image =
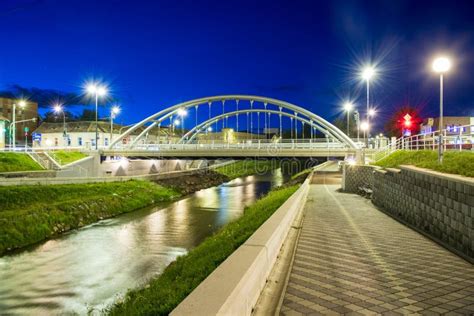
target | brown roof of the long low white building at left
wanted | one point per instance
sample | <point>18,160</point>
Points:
<point>88,127</point>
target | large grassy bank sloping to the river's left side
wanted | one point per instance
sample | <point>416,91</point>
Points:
<point>29,214</point>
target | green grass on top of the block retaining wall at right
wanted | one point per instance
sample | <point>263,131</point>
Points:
<point>454,162</point>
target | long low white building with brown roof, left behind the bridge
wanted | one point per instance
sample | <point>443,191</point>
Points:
<point>82,134</point>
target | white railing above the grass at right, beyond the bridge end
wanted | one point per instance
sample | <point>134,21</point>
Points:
<point>458,138</point>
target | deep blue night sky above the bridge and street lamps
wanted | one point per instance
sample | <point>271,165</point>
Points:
<point>156,53</point>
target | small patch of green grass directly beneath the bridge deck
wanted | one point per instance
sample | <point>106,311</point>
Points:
<point>246,167</point>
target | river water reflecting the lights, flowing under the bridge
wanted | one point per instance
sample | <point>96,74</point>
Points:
<point>87,269</point>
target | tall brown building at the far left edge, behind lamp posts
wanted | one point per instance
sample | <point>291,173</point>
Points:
<point>26,113</point>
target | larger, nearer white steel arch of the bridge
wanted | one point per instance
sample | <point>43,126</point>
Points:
<point>162,115</point>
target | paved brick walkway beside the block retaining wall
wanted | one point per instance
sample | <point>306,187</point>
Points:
<point>352,259</point>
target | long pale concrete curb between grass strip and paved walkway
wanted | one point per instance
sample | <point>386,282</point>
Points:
<point>235,286</point>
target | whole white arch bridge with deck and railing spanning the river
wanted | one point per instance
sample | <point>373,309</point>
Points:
<point>233,126</point>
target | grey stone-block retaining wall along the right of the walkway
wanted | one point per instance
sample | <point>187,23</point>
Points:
<point>438,205</point>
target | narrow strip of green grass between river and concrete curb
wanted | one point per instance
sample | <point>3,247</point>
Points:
<point>181,277</point>
